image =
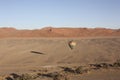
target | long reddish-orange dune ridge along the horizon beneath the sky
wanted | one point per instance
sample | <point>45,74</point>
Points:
<point>59,32</point>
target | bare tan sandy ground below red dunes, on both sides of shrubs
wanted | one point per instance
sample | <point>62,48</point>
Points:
<point>21,55</point>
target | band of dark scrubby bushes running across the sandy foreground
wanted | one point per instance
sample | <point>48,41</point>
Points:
<point>64,73</point>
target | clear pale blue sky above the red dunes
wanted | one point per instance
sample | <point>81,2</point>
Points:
<point>32,14</point>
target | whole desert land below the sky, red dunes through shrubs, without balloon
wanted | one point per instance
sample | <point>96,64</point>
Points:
<point>46,55</point>
